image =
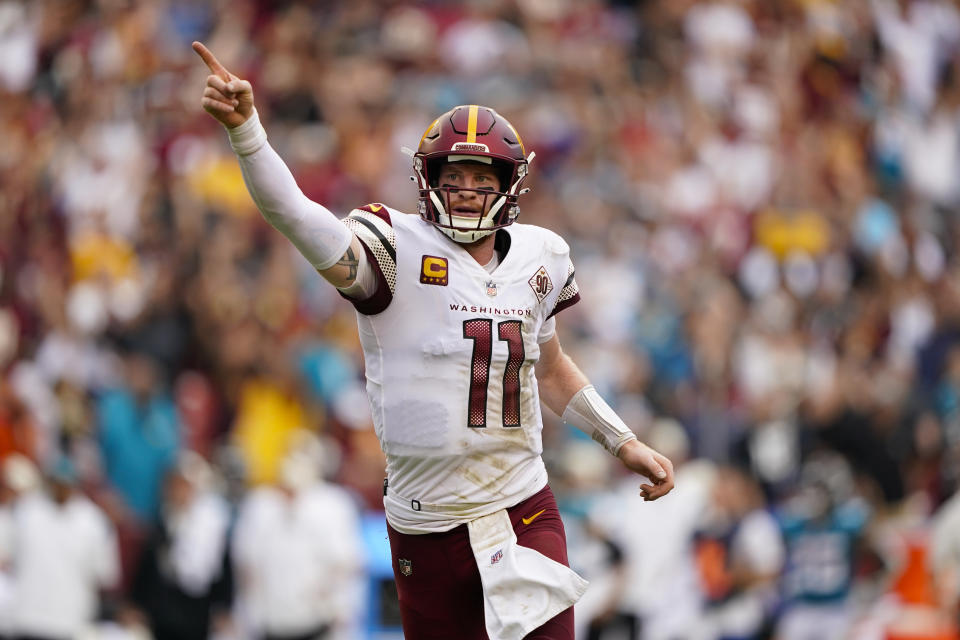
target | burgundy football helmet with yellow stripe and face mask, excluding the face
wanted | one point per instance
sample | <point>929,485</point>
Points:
<point>470,133</point>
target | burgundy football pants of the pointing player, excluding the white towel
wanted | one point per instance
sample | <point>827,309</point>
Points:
<point>442,598</point>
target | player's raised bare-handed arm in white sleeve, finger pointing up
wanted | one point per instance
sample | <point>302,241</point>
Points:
<point>329,246</point>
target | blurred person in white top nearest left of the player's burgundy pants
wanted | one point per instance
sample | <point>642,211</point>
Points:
<point>297,554</point>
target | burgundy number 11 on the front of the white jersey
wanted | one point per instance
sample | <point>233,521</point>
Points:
<point>480,330</point>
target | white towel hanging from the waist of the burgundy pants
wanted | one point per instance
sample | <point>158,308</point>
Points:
<point>522,588</point>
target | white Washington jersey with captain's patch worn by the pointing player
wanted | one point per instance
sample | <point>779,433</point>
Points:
<point>450,352</point>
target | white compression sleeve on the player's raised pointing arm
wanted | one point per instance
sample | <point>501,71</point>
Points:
<point>311,227</point>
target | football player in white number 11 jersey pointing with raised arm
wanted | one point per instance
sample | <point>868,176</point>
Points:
<point>455,308</point>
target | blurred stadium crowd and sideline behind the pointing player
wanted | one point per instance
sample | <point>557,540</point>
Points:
<point>763,203</point>
